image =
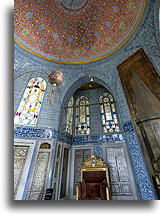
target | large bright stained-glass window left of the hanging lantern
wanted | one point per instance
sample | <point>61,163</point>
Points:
<point>30,104</point>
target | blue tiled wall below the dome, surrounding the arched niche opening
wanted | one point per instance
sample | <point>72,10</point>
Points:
<point>51,121</point>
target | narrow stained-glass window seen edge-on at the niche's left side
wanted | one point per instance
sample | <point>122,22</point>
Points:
<point>69,116</point>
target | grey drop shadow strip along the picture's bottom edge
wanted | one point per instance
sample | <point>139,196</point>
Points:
<point>84,205</point>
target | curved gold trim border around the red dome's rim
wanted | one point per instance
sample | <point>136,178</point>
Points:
<point>92,60</point>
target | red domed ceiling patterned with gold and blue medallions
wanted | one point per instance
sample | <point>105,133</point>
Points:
<point>75,31</point>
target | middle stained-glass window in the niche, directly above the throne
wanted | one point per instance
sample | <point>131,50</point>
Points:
<point>82,116</point>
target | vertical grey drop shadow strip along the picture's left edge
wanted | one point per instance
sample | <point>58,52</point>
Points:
<point>10,104</point>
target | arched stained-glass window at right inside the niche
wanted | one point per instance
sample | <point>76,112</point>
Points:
<point>108,113</point>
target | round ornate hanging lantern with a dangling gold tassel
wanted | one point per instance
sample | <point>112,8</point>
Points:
<point>55,78</point>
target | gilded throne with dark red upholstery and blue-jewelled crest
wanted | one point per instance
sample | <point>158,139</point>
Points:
<point>94,183</point>
